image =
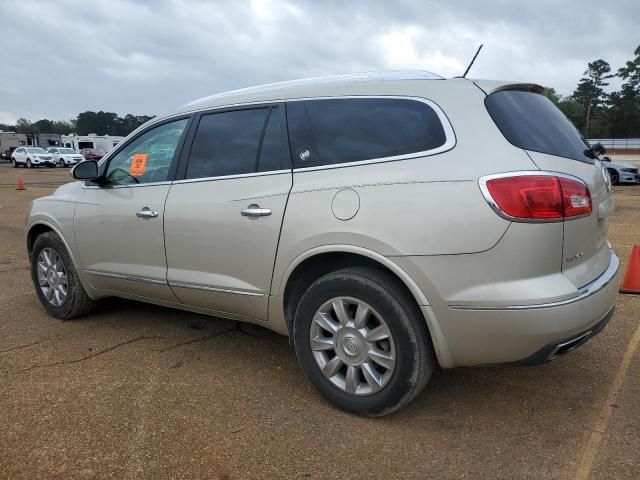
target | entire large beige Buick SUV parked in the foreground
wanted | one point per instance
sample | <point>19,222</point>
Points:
<point>337,224</point>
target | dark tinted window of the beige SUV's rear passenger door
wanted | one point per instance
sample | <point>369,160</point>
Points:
<point>237,142</point>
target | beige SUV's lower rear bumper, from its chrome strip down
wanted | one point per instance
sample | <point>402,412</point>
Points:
<point>529,334</point>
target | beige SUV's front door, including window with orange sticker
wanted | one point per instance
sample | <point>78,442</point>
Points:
<point>119,224</point>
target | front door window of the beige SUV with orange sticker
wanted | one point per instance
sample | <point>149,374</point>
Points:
<point>148,157</point>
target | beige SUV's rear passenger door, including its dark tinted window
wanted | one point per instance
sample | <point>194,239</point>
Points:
<point>223,216</point>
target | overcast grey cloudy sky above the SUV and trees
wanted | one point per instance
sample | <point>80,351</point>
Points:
<point>61,57</point>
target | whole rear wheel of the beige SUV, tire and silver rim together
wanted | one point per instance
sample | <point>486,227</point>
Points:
<point>362,341</point>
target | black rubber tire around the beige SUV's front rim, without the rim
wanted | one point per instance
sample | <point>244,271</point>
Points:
<point>77,303</point>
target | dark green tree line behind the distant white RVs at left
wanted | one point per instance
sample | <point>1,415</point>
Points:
<point>100,123</point>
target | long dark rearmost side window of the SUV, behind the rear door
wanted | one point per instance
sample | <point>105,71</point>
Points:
<point>334,131</point>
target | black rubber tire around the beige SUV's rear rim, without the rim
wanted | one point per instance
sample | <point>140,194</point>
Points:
<point>415,360</point>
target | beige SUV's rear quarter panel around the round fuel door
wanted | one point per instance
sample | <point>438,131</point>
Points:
<point>422,206</point>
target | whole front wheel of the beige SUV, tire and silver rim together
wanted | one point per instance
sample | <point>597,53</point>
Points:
<point>56,280</point>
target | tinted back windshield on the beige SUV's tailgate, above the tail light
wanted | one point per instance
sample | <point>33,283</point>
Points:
<point>531,121</point>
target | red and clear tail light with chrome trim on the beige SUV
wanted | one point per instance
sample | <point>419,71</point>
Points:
<point>536,197</point>
